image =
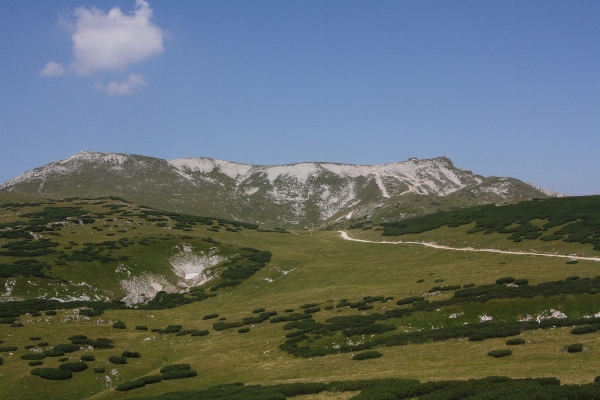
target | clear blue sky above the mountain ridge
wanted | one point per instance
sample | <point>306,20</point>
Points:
<point>504,88</point>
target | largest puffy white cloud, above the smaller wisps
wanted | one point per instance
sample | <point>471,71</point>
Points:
<point>112,41</point>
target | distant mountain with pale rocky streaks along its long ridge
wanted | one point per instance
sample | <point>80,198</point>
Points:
<point>293,195</point>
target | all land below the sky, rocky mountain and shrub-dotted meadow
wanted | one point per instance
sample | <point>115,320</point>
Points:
<point>410,285</point>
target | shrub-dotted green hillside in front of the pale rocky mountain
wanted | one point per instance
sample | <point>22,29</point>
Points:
<point>287,308</point>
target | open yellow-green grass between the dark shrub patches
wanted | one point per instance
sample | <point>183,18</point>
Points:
<point>306,267</point>
